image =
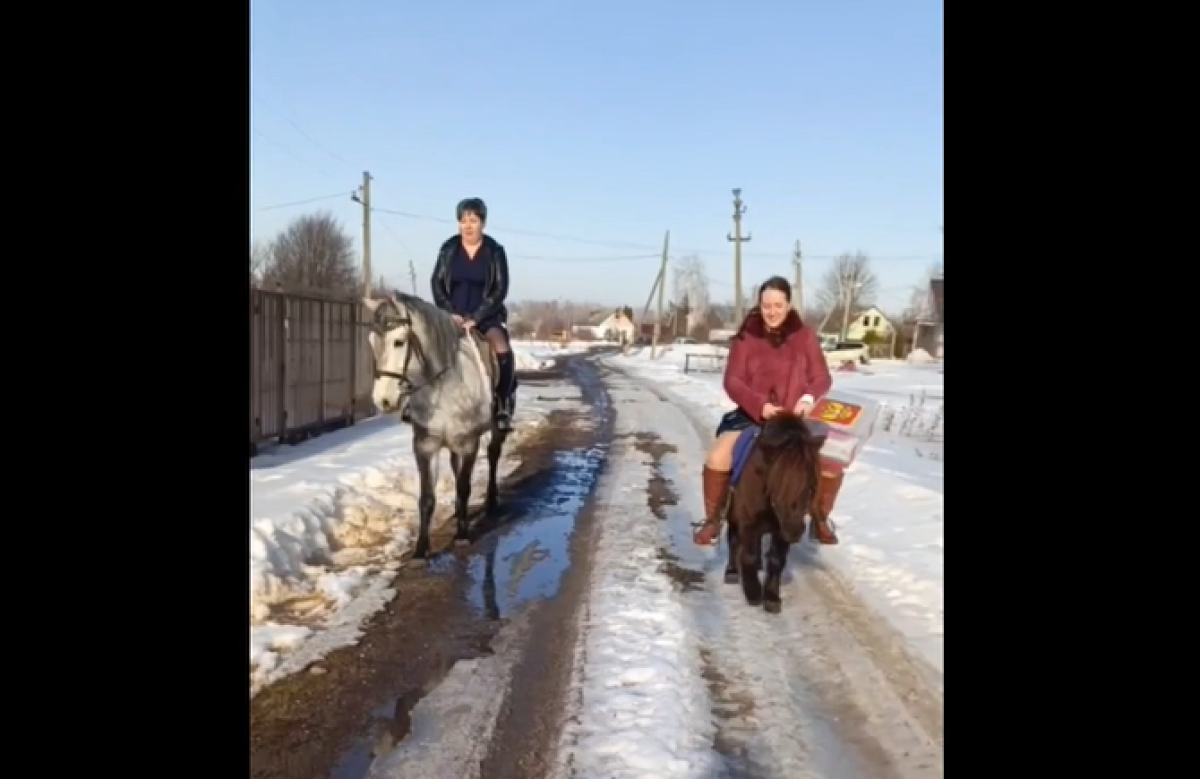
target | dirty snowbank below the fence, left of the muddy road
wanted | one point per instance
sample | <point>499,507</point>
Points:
<point>329,518</point>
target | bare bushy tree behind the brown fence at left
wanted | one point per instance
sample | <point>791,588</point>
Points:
<point>314,255</point>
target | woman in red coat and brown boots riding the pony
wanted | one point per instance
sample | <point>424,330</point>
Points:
<point>776,364</point>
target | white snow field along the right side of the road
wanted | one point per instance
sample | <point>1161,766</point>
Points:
<point>890,514</point>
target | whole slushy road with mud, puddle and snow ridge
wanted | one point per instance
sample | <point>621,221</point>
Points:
<point>587,638</point>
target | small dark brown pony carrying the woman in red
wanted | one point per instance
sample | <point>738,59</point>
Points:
<point>777,489</point>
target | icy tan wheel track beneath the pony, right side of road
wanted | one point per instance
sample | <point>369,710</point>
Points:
<point>855,702</point>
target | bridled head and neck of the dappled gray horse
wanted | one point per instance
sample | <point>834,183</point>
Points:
<point>413,344</point>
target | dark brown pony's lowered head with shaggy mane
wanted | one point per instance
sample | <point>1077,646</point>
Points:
<point>794,471</point>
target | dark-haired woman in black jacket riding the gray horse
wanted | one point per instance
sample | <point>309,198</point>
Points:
<point>471,280</point>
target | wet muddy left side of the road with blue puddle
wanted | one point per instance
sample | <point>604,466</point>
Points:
<point>514,592</point>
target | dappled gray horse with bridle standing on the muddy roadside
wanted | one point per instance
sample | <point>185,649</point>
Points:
<point>447,380</point>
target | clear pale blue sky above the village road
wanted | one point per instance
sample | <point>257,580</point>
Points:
<point>593,128</point>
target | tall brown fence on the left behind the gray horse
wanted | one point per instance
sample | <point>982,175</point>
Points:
<point>311,368</point>
